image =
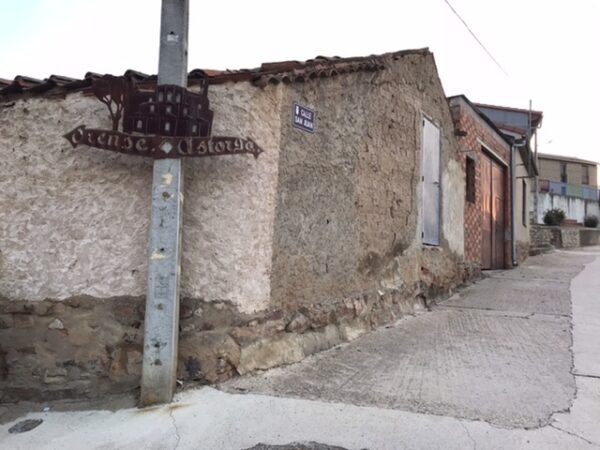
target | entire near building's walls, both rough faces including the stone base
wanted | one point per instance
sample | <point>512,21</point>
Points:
<point>314,243</point>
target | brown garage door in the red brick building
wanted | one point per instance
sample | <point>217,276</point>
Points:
<point>492,226</point>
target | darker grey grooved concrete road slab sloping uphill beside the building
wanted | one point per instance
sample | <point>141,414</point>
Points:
<point>499,351</point>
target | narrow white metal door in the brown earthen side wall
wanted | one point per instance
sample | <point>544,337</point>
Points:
<point>431,183</point>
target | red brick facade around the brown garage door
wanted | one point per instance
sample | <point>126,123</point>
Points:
<point>476,138</point>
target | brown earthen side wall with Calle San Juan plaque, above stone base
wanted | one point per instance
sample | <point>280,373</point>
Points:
<point>347,217</point>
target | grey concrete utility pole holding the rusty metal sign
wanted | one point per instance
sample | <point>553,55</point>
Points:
<point>161,325</point>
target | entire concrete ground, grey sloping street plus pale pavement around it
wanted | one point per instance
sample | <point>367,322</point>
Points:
<point>500,365</point>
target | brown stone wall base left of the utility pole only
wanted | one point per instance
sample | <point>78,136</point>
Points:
<point>73,348</point>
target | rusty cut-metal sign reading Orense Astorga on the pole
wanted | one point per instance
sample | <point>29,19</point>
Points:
<point>168,122</point>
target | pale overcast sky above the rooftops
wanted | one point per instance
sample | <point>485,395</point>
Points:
<point>549,49</point>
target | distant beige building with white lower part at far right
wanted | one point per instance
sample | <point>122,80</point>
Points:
<point>570,184</point>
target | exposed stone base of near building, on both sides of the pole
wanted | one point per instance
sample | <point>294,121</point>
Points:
<point>89,347</point>
